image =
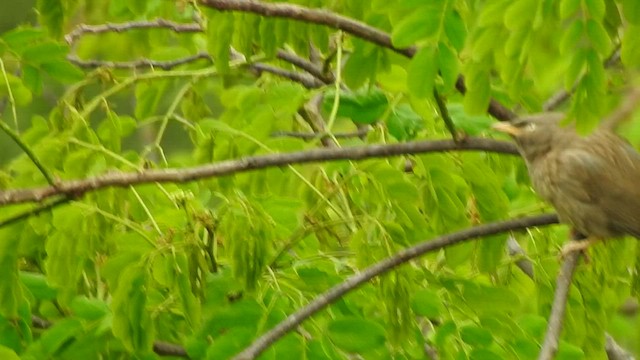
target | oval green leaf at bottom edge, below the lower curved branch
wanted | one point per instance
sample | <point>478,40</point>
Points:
<point>356,334</point>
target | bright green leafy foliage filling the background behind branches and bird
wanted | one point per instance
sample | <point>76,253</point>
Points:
<point>214,263</point>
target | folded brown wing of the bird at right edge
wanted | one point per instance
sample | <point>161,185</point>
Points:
<point>606,181</point>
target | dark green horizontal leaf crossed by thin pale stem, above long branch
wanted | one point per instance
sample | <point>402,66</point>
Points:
<point>362,106</point>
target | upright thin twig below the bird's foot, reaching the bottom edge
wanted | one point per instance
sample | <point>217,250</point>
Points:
<point>554,326</point>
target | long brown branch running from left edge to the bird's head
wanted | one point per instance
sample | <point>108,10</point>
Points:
<point>122,179</point>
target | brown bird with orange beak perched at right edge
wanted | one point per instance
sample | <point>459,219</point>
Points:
<point>592,181</point>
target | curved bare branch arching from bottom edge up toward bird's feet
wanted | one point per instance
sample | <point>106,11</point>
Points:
<point>355,281</point>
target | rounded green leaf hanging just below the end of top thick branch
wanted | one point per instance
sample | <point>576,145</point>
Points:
<point>422,72</point>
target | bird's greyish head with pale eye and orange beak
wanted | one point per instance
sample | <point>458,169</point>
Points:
<point>537,134</point>
